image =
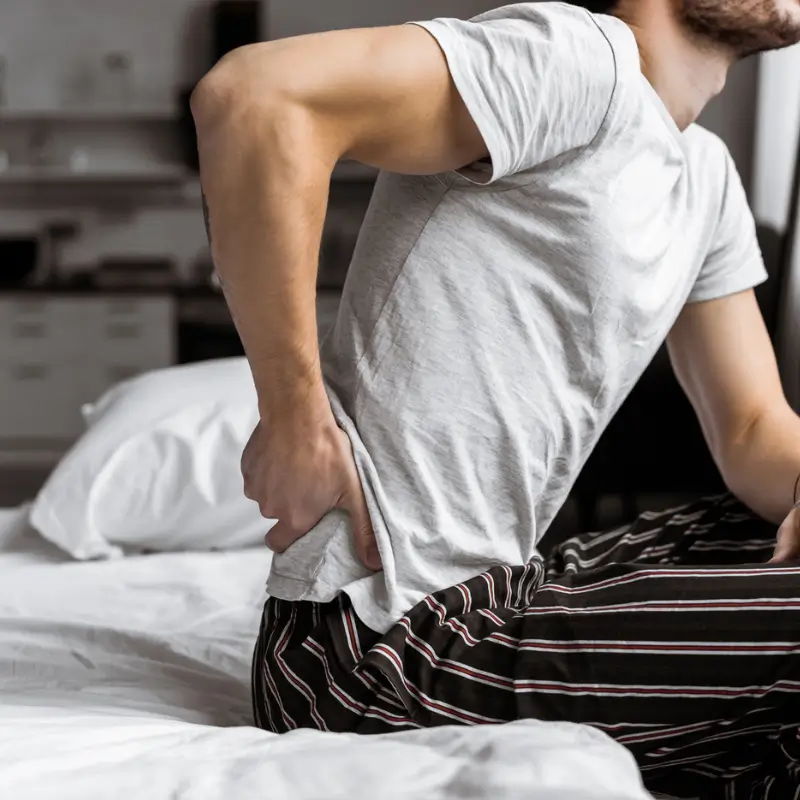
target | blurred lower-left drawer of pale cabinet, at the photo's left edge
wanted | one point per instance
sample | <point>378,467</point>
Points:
<point>39,400</point>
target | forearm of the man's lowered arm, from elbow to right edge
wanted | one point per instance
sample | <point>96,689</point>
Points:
<point>761,467</point>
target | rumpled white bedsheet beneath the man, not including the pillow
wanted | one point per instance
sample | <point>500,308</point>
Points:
<point>130,678</point>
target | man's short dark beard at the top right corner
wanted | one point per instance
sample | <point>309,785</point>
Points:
<point>743,27</point>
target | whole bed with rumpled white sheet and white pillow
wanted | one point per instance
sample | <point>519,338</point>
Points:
<point>131,590</point>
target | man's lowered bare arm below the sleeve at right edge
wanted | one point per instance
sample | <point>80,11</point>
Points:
<point>725,362</point>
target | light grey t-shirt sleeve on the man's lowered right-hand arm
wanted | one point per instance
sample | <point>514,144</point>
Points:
<point>734,262</point>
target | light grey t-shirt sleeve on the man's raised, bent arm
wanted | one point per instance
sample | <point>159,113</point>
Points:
<point>537,80</point>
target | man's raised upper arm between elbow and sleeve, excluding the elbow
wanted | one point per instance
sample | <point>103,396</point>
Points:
<point>382,96</point>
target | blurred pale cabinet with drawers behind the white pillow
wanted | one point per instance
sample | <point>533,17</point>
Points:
<point>59,352</point>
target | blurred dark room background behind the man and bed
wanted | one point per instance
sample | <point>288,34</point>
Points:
<point>104,267</point>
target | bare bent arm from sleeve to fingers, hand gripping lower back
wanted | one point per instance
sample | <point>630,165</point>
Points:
<point>272,121</point>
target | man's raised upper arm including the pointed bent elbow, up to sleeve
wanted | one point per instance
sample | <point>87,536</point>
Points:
<point>383,96</point>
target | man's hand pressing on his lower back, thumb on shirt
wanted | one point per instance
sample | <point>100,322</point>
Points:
<point>297,473</point>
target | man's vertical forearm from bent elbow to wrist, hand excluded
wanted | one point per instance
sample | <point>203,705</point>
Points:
<point>265,194</point>
